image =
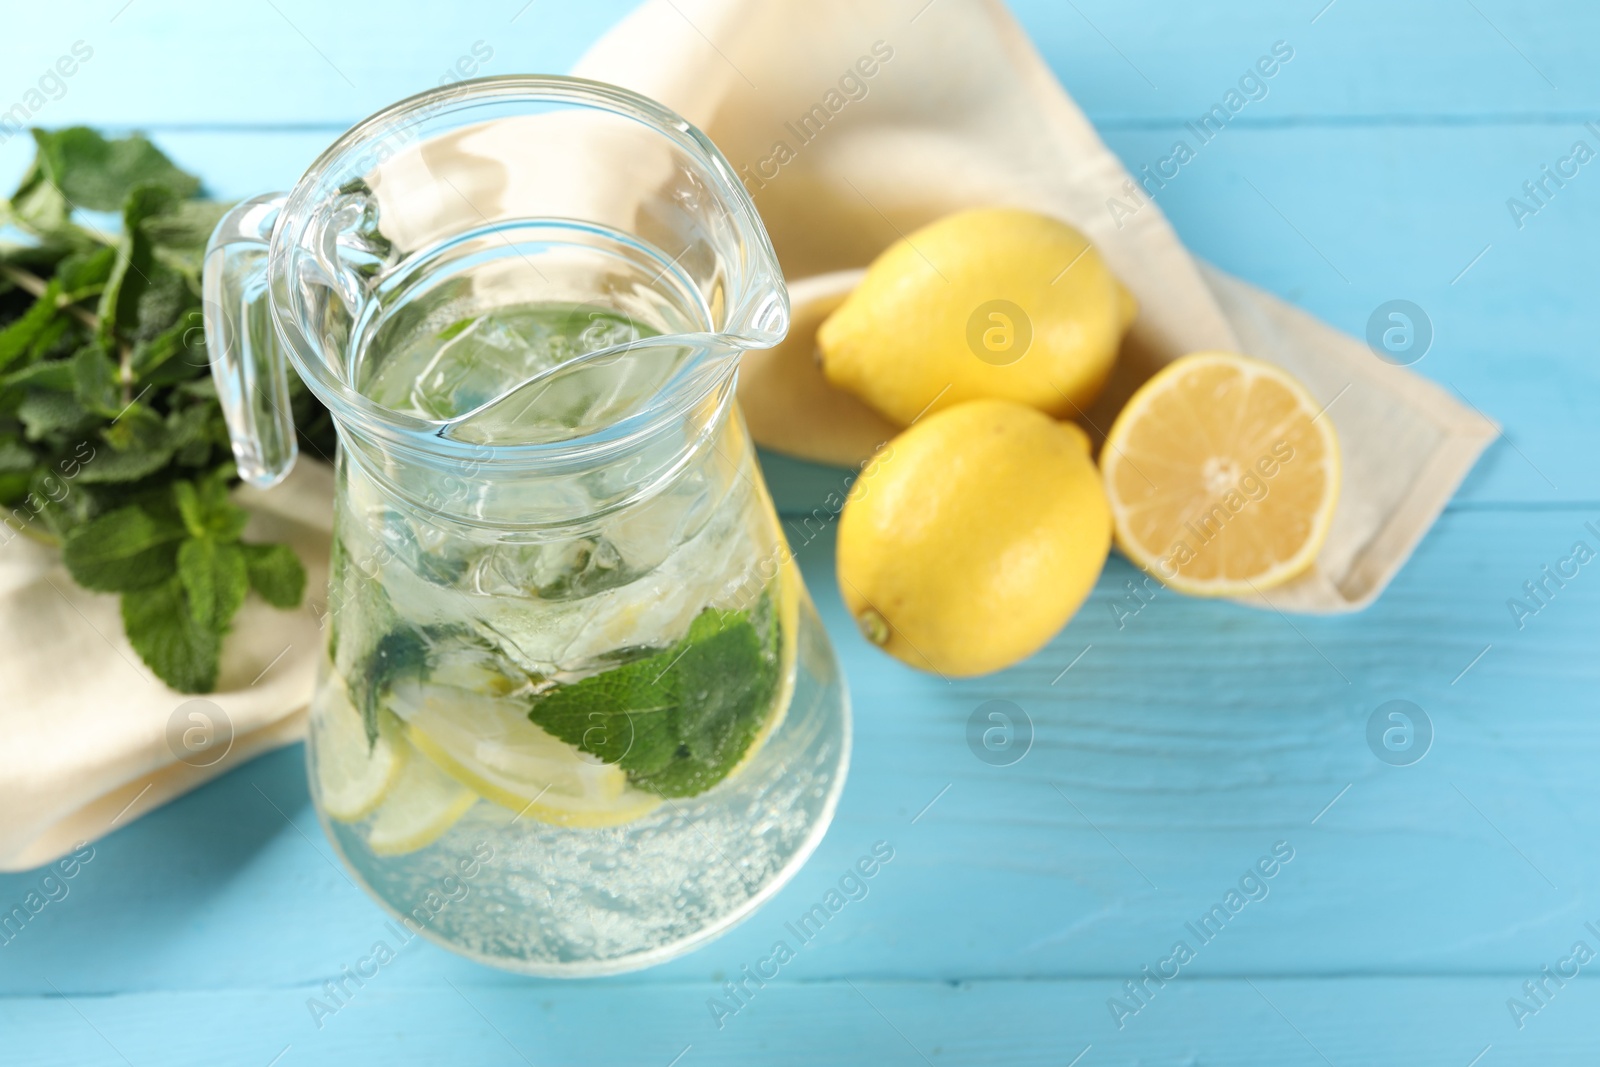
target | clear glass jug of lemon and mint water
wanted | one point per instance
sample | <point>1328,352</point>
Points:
<point>577,713</point>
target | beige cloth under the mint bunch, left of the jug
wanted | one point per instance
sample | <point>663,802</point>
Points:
<point>90,740</point>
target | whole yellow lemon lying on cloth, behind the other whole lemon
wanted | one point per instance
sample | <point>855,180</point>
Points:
<point>994,303</point>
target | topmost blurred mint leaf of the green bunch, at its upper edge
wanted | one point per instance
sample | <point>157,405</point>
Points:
<point>98,174</point>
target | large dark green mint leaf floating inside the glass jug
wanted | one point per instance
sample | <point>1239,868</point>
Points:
<point>681,719</point>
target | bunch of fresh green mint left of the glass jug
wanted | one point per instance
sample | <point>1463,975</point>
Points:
<point>113,444</point>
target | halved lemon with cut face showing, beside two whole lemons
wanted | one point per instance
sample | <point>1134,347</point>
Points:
<point>1223,476</point>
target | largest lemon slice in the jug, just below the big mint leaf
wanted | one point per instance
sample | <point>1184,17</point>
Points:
<point>490,746</point>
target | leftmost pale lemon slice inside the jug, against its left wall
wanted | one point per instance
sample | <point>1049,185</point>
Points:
<point>353,775</point>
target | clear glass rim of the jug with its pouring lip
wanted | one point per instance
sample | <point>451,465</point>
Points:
<point>758,316</point>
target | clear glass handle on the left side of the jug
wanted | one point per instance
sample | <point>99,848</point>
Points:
<point>247,358</point>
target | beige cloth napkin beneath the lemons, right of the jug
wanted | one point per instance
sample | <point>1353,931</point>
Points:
<point>854,124</point>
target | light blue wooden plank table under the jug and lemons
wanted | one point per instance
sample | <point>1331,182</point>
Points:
<point>1178,749</point>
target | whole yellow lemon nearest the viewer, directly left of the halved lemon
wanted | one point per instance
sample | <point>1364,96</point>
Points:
<point>974,537</point>
